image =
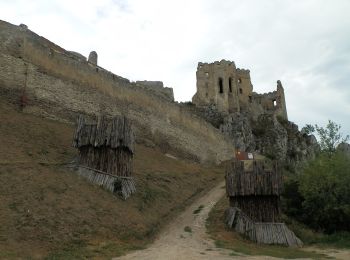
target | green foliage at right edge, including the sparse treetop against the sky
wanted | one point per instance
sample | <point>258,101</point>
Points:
<point>320,196</point>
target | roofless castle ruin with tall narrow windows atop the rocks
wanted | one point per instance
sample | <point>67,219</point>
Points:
<point>230,89</point>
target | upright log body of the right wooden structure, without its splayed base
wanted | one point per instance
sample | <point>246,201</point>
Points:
<point>255,191</point>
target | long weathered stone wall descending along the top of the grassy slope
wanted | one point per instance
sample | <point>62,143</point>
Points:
<point>59,85</point>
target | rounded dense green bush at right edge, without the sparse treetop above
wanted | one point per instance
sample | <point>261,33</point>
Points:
<point>324,186</point>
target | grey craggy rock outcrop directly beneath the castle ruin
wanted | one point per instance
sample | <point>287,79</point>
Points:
<point>272,136</point>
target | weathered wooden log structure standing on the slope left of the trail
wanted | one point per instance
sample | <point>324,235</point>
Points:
<point>106,150</point>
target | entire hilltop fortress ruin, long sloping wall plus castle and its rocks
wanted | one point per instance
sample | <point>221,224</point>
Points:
<point>225,115</point>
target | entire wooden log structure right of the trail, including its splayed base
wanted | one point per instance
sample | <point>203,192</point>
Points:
<point>254,191</point>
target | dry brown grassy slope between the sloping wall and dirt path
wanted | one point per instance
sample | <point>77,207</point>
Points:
<point>46,210</point>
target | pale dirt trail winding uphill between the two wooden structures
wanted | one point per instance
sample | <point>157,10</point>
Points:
<point>175,243</point>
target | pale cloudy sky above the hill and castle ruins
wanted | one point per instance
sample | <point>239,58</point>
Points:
<point>305,43</point>
